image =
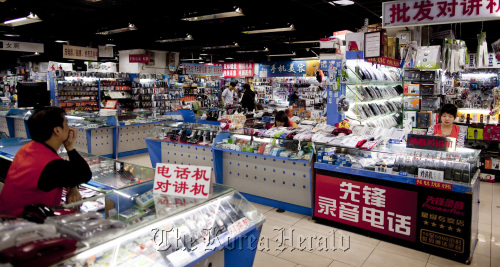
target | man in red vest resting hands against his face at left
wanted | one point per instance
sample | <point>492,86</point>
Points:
<point>38,175</point>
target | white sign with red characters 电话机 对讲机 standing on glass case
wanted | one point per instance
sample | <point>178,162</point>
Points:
<point>181,180</point>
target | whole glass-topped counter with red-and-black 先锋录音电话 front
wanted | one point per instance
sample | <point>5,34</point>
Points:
<point>421,199</point>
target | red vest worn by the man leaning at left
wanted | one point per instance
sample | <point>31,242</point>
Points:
<point>21,184</point>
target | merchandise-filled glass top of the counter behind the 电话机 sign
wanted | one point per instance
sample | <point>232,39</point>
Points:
<point>184,132</point>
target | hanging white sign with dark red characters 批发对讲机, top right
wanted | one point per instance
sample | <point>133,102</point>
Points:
<point>418,12</point>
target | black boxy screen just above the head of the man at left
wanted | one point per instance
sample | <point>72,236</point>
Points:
<point>33,95</point>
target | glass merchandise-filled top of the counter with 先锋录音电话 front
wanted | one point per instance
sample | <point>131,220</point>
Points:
<point>460,167</point>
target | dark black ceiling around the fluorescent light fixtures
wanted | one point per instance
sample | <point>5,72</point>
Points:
<point>78,21</point>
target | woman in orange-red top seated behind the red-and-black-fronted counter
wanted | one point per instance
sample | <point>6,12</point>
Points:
<point>446,127</point>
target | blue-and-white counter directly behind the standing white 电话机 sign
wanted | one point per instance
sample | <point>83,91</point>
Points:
<point>182,143</point>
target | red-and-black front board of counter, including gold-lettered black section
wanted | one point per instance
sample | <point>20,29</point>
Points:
<point>432,220</point>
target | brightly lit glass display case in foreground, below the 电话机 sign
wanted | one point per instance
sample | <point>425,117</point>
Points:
<point>147,229</point>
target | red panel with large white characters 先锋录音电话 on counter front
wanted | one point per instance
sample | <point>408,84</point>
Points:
<point>386,210</point>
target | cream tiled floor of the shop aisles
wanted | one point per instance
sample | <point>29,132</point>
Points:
<point>363,251</point>
